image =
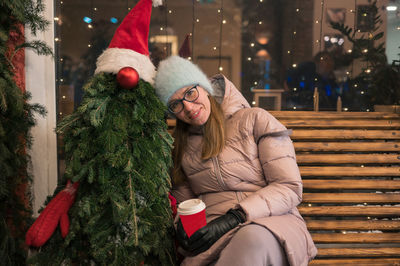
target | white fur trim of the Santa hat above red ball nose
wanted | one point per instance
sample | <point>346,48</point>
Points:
<point>113,59</point>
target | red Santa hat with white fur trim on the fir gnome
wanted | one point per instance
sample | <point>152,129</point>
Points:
<point>129,46</point>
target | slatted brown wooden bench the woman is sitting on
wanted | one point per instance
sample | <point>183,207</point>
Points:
<point>350,165</point>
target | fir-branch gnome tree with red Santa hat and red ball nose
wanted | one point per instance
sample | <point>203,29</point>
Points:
<point>118,148</point>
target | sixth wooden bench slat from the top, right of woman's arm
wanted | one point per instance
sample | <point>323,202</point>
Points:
<point>321,171</point>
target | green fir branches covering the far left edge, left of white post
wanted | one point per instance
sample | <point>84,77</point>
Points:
<point>16,120</point>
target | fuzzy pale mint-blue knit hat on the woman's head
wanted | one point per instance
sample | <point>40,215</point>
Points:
<point>175,73</point>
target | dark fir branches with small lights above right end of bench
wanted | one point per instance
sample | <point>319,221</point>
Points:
<point>380,79</point>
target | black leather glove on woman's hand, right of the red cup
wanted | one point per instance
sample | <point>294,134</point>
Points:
<point>206,236</point>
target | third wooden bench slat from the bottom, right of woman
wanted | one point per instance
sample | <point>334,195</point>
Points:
<point>346,237</point>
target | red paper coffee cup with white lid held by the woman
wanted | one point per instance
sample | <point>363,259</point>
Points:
<point>193,215</point>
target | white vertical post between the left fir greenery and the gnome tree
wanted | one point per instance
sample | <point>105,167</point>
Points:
<point>40,81</point>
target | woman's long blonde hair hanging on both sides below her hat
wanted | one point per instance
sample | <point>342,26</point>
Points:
<point>213,140</point>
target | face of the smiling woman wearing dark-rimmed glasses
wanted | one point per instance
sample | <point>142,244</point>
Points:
<point>197,112</point>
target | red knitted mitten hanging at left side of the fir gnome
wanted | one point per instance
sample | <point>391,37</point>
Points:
<point>55,212</point>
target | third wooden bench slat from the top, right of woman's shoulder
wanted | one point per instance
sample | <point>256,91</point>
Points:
<point>344,134</point>
